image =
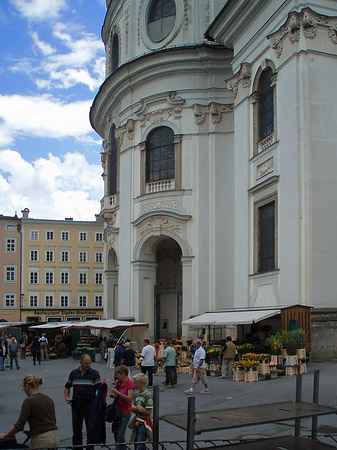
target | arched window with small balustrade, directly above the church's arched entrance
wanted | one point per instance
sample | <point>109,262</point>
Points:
<point>160,155</point>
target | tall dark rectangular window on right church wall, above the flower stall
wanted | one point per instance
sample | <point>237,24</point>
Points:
<point>266,237</point>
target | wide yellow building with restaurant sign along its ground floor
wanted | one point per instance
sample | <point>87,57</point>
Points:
<point>62,270</point>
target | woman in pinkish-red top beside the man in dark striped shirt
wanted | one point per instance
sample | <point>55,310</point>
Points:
<point>123,390</point>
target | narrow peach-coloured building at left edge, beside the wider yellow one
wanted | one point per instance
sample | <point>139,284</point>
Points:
<point>10,253</point>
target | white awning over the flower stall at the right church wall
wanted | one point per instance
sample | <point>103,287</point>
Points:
<point>233,317</point>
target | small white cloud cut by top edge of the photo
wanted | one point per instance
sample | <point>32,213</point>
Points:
<point>39,9</point>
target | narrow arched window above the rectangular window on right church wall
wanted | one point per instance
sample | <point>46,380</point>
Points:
<point>265,104</point>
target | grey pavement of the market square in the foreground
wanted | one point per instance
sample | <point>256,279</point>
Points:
<point>223,394</point>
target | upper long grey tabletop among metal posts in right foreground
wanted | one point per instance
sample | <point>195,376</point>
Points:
<point>249,416</point>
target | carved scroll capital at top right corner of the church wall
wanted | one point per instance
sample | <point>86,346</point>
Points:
<point>307,21</point>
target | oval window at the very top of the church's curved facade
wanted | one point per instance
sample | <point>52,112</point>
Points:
<point>161,19</point>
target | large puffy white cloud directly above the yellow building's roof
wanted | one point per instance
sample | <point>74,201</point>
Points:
<point>52,187</point>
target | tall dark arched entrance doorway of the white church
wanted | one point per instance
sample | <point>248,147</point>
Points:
<point>168,290</point>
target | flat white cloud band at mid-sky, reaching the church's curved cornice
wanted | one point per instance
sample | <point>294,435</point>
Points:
<point>42,116</point>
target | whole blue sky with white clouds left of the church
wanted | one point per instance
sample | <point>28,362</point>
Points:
<point>52,62</point>
